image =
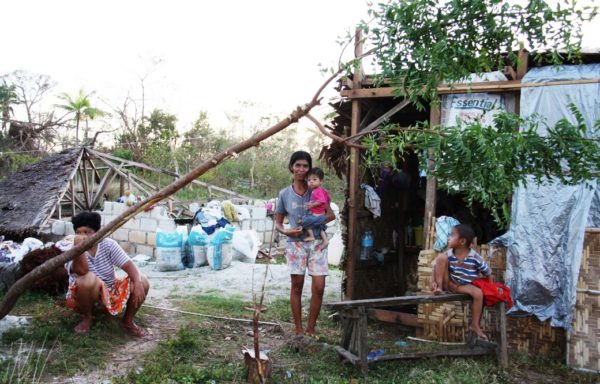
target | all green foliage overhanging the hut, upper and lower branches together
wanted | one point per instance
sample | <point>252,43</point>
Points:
<point>419,44</point>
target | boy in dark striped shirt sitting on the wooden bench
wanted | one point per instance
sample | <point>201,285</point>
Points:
<point>458,267</point>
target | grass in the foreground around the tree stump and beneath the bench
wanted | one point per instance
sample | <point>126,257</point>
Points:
<point>214,354</point>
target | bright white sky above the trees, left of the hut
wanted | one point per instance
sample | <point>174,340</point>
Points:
<point>195,55</point>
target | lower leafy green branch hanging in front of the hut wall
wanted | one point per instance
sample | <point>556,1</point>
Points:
<point>486,163</point>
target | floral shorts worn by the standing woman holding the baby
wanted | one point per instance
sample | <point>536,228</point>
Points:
<point>300,255</point>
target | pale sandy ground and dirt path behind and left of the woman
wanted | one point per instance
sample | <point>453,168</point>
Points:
<point>241,280</point>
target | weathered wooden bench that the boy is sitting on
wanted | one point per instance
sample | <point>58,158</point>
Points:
<point>354,347</point>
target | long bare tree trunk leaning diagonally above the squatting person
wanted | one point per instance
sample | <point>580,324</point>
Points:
<point>26,281</point>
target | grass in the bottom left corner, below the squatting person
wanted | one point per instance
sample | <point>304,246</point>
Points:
<point>50,331</point>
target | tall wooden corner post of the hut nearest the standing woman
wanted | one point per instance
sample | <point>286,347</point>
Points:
<point>353,182</point>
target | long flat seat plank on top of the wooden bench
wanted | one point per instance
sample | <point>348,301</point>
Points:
<point>398,300</point>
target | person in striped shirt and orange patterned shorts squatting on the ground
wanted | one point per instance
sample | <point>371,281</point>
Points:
<point>93,283</point>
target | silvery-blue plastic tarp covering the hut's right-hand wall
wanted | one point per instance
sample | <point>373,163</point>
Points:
<point>548,222</point>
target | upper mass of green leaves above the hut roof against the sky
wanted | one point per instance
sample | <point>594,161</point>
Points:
<point>421,43</point>
